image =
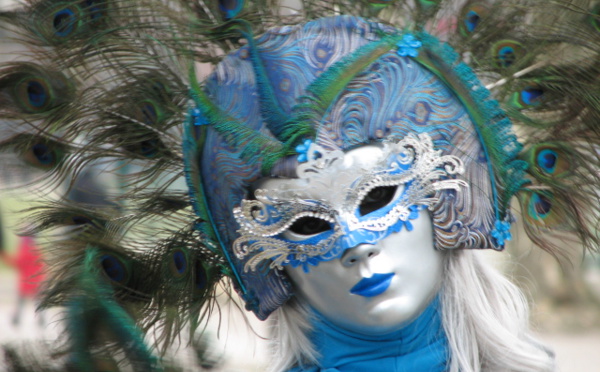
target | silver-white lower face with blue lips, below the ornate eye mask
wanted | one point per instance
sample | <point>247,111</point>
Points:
<point>376,289</point>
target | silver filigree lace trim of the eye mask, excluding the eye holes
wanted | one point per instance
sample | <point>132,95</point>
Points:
<point>411,161</point>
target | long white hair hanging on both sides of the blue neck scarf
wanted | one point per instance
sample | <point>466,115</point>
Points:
<point>485,317</point>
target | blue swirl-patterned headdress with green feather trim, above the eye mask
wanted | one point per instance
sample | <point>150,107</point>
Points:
<point>340,83</point>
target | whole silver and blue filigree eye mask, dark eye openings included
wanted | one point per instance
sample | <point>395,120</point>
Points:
<point>290,225</point>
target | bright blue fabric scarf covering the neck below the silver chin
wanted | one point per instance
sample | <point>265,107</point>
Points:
<point>420,346</point>
